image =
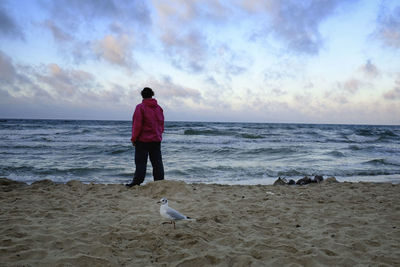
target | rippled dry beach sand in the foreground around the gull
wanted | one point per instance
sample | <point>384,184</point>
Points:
<point>75,224</point>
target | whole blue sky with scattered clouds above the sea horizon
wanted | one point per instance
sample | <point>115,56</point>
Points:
<point>273,61</point>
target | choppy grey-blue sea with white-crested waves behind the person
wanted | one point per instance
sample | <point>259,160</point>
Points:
<point>199,152</point>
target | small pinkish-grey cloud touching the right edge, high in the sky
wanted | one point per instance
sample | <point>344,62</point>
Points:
<point>388,29</point>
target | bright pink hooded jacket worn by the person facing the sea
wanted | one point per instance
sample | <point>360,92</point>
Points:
<point>148,122</point>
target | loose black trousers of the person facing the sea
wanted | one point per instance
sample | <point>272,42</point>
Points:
<point>143,150</point>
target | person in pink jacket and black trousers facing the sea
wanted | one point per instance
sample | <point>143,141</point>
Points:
<point>147,129</point>
